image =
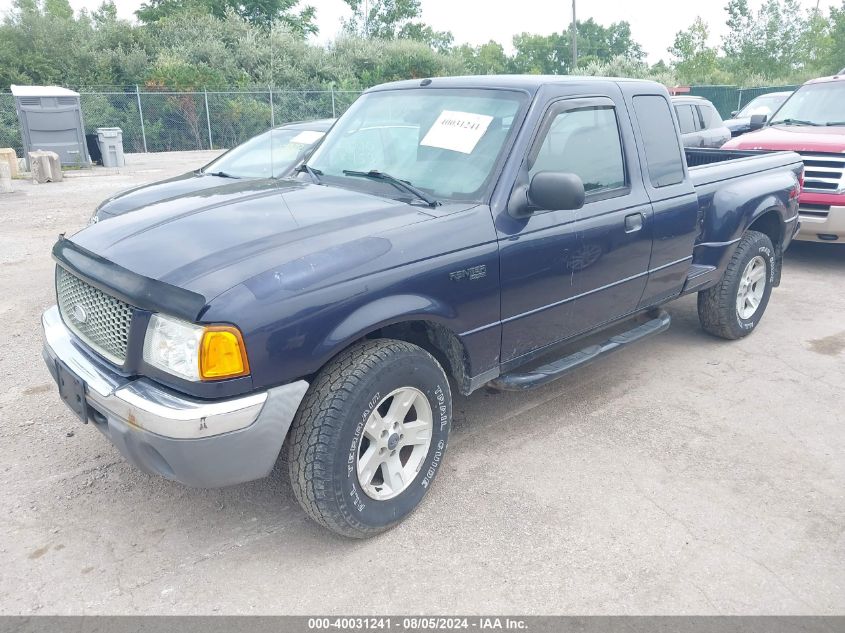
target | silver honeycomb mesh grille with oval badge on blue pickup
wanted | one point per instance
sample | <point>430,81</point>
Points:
<point>100,320</point>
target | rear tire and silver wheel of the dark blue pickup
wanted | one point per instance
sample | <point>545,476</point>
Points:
<point>732,308</point>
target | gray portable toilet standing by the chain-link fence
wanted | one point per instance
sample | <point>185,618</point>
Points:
<point>51,120</point>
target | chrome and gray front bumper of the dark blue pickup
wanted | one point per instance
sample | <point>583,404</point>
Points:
<point>200,443</point>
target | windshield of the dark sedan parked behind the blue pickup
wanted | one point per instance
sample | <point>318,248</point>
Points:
<point>253,158</point>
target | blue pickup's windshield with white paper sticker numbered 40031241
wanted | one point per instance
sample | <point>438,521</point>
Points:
<point>444,142</point>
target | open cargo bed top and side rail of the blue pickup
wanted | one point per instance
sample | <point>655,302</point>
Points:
<point>714,165</point>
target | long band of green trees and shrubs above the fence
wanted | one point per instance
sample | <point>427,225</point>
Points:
<point>194,44</point>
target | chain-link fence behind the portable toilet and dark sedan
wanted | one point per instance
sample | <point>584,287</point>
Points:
<point>163,121</point>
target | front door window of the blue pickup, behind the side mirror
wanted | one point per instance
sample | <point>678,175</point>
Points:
<point>584,141</point>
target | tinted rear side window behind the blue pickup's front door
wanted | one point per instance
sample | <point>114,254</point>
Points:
<point>663,154</point>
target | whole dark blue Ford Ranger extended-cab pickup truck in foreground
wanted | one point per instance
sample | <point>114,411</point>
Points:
<point>447,234</point>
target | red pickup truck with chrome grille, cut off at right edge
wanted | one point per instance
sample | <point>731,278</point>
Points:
<point>812,123</point>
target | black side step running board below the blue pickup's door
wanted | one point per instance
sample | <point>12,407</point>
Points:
<point>554,370</point>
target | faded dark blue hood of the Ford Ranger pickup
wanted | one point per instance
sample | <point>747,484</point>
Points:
<point>209,241</point>
